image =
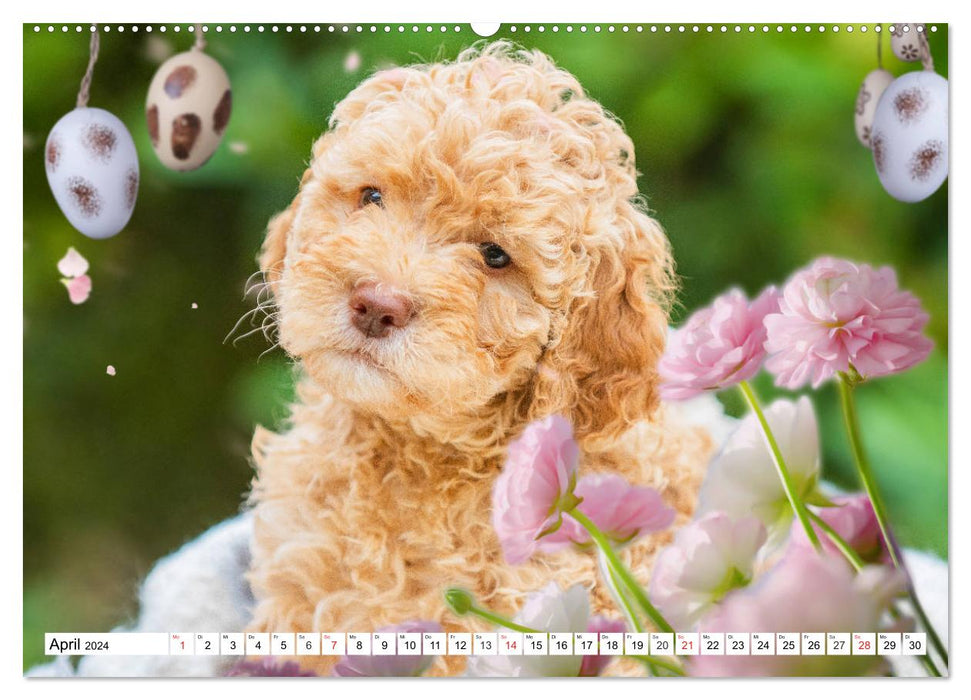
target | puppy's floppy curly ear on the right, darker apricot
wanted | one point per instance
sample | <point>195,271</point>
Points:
<point>602,371</point>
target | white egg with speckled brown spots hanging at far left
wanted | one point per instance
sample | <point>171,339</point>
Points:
<point>92,169</point>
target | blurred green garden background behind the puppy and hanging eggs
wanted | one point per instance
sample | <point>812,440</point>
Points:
<point>749,159</point>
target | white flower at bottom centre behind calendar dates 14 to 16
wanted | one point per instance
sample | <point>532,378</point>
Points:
<point>548,610</point>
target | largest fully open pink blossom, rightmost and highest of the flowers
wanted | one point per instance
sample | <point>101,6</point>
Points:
<point>835,315</point>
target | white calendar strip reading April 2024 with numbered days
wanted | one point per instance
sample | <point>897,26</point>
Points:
<point>503,643</point>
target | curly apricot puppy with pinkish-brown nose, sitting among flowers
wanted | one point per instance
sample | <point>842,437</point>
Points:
<point>466,254</point>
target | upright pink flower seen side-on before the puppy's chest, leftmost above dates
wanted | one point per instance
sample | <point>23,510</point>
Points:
<point>535,486</point>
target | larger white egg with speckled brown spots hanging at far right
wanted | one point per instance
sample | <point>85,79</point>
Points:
<point>909,137</point>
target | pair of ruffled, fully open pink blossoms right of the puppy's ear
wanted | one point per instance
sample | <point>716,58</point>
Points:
<point>833,316</point>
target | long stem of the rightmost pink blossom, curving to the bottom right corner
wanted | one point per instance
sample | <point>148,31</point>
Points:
<point>852,421</point>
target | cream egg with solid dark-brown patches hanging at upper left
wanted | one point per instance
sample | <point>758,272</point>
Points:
<point>187,110</point>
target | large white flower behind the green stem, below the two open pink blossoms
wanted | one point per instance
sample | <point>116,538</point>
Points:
<point>742,480</point>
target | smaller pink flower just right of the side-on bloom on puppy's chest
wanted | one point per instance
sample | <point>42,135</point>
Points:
<point>619,510</point>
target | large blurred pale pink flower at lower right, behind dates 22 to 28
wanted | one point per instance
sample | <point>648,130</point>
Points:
<point>804,592</point>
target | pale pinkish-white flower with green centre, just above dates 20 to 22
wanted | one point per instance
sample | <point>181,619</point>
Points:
<point>708,558</point>
